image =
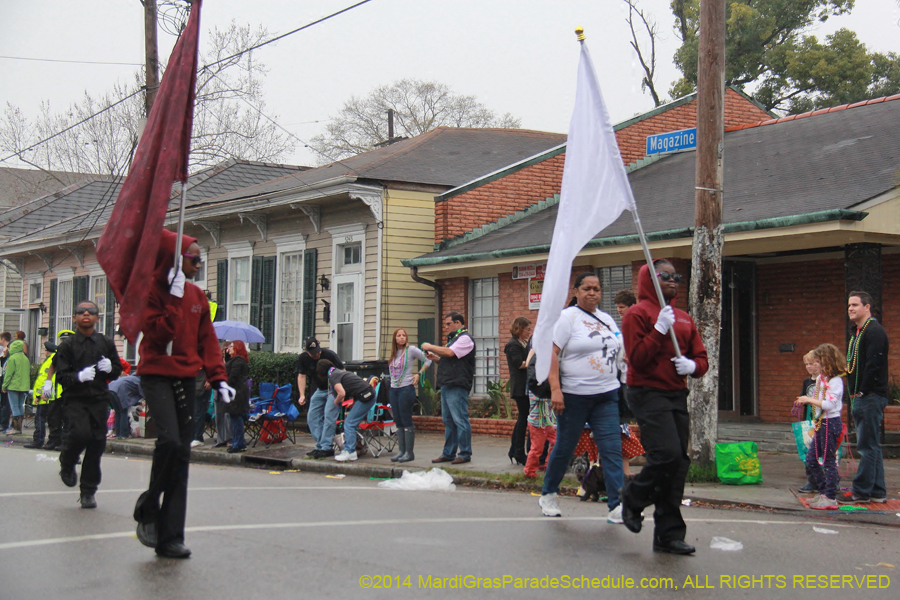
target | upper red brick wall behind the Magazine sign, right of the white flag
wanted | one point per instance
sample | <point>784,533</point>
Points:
<point>633,139</point>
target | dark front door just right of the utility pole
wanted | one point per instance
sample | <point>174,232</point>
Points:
<point>737,351</point>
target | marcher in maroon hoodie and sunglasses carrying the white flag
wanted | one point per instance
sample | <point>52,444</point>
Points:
<point>657,395</point>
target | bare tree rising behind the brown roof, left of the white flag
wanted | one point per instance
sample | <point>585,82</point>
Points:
<point>419,106</point>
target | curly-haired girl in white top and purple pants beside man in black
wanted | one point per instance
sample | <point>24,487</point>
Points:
<point>827,398</point>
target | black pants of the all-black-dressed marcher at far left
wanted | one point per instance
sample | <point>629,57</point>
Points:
<point>87,433</point>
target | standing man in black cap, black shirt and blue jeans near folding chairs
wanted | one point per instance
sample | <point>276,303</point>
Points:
<point>323,413</point>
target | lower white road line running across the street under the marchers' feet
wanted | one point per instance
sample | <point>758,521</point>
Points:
<point>382,523</point>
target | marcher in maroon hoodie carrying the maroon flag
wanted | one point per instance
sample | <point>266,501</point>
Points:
<point>177,313</point>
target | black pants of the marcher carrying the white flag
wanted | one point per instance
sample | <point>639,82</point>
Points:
<point>665,434</point>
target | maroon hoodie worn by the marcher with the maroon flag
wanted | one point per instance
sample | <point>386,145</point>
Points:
<point>184,321</point>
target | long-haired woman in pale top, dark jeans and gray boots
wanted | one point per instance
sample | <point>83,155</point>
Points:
<point>404,379</point>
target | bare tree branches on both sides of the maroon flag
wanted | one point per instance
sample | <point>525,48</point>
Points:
<point>98,133</point>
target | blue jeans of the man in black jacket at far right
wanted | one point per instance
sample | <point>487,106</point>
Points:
<point>868,413</point>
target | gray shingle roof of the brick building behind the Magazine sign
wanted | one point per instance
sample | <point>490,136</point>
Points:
<point>819,163</point>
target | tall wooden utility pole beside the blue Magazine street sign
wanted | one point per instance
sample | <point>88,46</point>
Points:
<point>706,255</point>
